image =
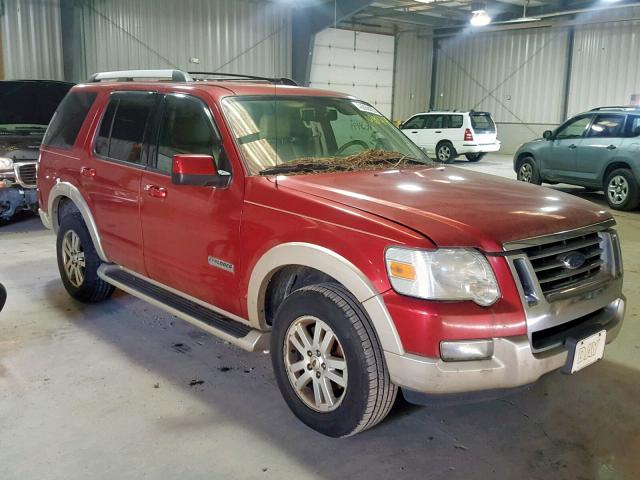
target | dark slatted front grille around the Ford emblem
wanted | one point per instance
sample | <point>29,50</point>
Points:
<point>549,262</point>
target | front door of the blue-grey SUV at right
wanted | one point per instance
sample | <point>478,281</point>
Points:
<point>559,158</point>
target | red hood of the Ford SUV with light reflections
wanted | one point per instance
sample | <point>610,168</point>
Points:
<point>452,206</point>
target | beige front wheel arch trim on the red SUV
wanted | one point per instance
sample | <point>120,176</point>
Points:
<point>334,266</point>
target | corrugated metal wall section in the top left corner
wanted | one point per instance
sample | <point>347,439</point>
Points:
<point>31,39</point>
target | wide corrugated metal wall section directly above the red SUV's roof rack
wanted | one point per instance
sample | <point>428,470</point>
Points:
<point>247,36</point>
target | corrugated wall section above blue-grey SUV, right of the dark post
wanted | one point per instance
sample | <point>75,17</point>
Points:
<point>605,65</point>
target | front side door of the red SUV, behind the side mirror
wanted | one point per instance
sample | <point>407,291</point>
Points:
<point>191,234</point>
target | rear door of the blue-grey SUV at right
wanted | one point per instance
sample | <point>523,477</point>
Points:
<point>599,146</point>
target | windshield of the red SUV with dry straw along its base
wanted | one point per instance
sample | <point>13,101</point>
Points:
<point>307,134</point>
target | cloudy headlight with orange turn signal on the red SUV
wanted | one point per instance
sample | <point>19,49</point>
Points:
<point>444,274</point>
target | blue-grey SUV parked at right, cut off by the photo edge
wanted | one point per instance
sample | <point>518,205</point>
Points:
<point>597,149</point>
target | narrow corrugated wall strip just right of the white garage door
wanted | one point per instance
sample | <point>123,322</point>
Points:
<point>412,79</point>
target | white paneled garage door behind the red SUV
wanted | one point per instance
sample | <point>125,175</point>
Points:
<point>356,63</point>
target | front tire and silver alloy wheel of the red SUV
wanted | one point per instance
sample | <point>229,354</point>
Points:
<point>367,395</point>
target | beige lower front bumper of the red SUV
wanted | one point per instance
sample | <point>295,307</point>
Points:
<point>513,363</point>
